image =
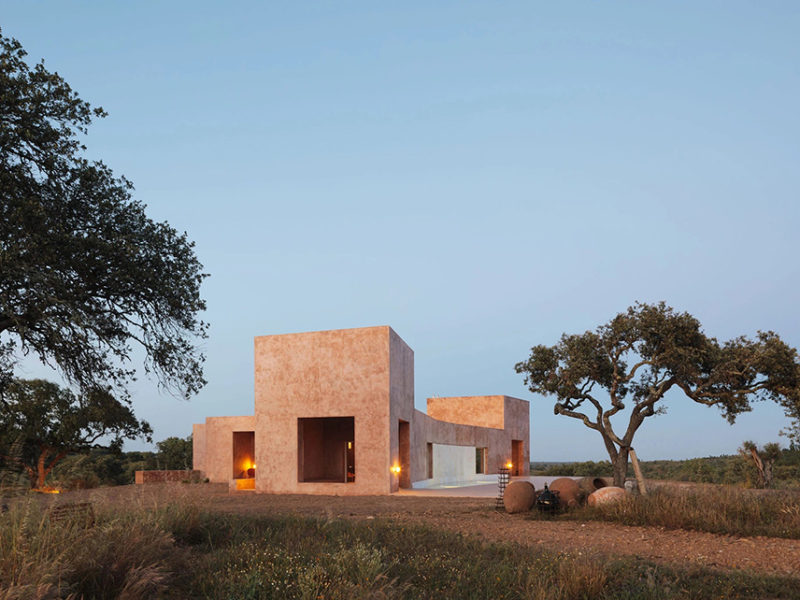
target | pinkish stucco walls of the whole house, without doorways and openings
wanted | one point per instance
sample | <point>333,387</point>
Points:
<point>367,374</point>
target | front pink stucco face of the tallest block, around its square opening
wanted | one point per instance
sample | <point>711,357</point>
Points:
<point>340,373</point>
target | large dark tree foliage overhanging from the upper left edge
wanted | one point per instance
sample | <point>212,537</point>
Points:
<point>84,273</point>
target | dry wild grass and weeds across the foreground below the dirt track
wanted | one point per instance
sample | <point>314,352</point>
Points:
<point>178,549</point>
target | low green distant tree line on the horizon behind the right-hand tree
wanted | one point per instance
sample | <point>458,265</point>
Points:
<point>728,469</point>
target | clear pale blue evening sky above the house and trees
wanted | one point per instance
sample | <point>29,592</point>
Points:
<point>480,176</point>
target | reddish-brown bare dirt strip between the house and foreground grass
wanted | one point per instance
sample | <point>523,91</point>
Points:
<point>477,517</point>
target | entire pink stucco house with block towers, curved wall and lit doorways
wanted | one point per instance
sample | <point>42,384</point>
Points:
<point>334,414</point>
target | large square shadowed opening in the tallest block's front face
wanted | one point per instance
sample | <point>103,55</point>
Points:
<point>326,449</point>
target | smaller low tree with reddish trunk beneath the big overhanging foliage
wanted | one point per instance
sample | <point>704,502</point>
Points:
<point>41,422</point>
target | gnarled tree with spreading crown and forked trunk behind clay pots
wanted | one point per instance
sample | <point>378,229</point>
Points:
<point>632,361</point>
